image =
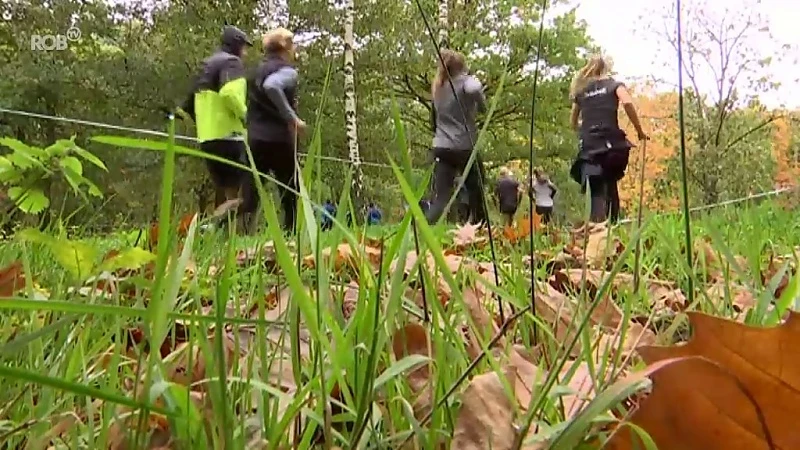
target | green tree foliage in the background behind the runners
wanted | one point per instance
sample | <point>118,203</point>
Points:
<point>132,60</point>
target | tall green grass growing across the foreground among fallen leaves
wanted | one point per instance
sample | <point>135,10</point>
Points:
<point>313,373</point>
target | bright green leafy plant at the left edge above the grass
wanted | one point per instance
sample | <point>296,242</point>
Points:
<point>27,170</point>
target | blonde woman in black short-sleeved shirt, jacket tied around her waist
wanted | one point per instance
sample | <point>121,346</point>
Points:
<point>604,148</point>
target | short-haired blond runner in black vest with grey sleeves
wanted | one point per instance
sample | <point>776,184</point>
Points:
<point>273,124</point>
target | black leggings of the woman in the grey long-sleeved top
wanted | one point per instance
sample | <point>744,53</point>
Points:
<point>449,163</point>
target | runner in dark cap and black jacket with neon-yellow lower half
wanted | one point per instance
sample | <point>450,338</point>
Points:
<point>217,104</point>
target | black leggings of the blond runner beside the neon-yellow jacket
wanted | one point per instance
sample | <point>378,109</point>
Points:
<point>279,159</point>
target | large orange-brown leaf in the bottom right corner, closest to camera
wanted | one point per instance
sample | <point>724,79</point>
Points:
<point>718,390</point>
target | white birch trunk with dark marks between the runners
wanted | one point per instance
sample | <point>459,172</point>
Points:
<point>350,99</point>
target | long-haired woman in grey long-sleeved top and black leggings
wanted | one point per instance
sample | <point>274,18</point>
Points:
<point>455,134</point>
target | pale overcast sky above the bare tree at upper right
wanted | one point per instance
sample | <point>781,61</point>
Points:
<point>623,32</point>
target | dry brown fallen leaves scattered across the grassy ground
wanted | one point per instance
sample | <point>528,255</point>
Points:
<point>730,387</point>
